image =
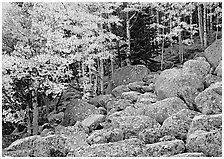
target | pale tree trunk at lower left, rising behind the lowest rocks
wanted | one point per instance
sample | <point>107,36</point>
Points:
<point>35,113</point>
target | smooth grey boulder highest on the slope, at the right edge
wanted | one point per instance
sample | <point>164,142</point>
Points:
<point>213,53</point>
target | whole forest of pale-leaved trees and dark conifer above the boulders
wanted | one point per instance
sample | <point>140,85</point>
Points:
<point>54,51</point>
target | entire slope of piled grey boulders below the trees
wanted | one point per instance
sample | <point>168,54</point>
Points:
<point>177,113</point>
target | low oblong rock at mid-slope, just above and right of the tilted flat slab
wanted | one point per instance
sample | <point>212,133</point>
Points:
<point>118,105</point>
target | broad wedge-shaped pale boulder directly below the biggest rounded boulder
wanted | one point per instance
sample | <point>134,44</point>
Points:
<point>161,110</point>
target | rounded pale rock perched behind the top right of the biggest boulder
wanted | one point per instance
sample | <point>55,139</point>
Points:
<point>200,68</point>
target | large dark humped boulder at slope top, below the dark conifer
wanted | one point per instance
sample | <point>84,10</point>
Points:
<point>128,74</point>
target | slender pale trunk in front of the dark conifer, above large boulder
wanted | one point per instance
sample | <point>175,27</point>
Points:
<point>128,40</point>
